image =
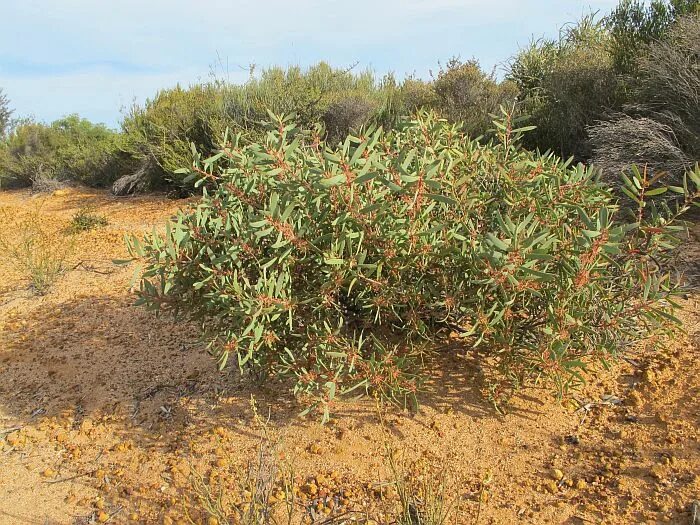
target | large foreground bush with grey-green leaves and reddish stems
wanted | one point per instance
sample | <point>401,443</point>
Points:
<point>333,266</point>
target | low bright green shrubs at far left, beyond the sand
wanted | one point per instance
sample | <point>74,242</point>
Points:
<point>71,148</point>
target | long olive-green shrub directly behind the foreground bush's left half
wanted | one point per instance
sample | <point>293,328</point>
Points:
<point>160,133</point>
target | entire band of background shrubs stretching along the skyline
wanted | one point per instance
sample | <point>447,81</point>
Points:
<point>615,90</point>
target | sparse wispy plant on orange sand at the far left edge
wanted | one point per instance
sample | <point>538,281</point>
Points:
<point>34,250</point>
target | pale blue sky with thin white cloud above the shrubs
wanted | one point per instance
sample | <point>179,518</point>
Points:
<point>95,58</point>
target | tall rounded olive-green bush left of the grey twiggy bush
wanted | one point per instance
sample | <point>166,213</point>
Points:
<point>565,85</point>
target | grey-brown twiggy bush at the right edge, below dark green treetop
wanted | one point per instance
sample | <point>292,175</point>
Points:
<point>662,128</point>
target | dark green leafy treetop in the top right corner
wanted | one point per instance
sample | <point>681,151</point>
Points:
<point>634,25</point>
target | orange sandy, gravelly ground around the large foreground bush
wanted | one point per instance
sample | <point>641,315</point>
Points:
<point>105,410</point>
